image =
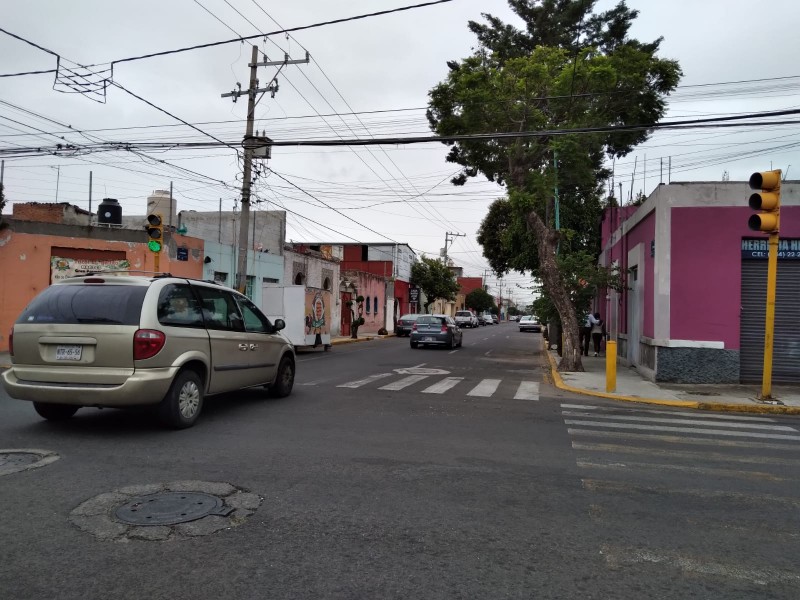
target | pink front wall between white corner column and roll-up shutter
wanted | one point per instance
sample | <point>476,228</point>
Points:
<point>705,293</point>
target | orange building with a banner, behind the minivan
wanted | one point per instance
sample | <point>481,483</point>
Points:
<point>47,242</point>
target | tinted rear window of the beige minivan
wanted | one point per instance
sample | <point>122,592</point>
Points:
<point>86,304</point>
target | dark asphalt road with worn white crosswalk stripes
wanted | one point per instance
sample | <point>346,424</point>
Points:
<point>427,473</point>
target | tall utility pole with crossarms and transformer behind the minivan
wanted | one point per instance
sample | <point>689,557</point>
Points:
<point>254,146</point>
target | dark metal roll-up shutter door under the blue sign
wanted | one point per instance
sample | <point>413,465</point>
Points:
<point>786,345</point>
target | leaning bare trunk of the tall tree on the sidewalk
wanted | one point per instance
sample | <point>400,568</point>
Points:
<point>547,243</point>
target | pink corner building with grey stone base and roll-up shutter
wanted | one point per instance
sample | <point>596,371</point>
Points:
<point>694,307</point>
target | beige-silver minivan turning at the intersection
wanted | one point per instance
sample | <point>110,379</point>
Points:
<point>118,340</point>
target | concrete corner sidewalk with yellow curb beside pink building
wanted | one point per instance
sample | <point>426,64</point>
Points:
<point>633,387</point>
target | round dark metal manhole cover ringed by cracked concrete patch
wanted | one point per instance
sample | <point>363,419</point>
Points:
<point>170,508</point>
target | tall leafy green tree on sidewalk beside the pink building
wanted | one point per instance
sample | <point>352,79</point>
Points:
<point>579,90</point>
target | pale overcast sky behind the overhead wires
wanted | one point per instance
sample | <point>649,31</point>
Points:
<point>380,67</point>
